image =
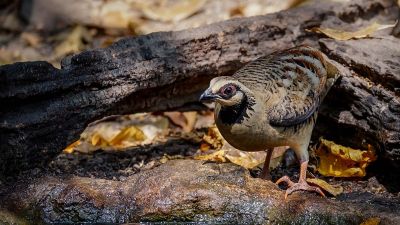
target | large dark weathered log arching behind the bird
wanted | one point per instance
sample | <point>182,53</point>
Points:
<point>44,108</point>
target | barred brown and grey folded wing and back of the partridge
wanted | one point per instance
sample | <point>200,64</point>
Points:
<point>290,82</point>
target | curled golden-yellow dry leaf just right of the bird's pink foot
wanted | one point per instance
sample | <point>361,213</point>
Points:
<point>339,161</point>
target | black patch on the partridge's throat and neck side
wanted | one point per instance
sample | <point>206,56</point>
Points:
<point>237,113</point>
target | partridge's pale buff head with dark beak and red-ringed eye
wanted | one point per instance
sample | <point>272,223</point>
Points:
<point>225,90</point>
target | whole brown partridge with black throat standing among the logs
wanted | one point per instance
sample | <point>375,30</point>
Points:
<point>273,101</point>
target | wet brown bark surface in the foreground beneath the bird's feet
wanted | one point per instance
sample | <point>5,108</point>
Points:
<point>187,190</point>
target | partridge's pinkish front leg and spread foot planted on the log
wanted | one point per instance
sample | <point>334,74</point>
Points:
<point>302,185</point>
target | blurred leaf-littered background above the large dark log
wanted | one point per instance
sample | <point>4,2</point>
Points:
<point>49,30</point>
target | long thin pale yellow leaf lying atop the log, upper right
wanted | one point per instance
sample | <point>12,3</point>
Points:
<point>347,35</point>
